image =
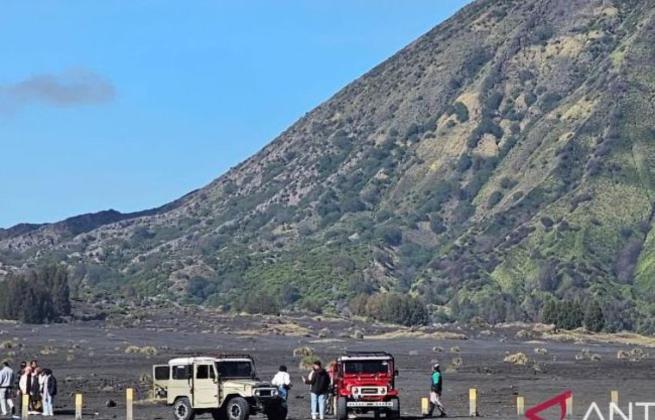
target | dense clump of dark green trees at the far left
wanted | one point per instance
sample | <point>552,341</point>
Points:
<point>36,296</point>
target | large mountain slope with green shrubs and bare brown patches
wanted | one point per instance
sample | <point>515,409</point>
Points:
<point>504,158</point>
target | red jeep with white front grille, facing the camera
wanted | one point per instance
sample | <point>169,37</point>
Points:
<point>365,382</point>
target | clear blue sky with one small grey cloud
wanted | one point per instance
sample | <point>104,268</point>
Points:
<point>131,104</point>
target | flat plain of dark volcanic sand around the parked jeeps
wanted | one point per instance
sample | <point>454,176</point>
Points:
<point>91,357</point>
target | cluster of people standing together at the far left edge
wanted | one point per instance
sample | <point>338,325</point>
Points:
<point>37,383</point>
